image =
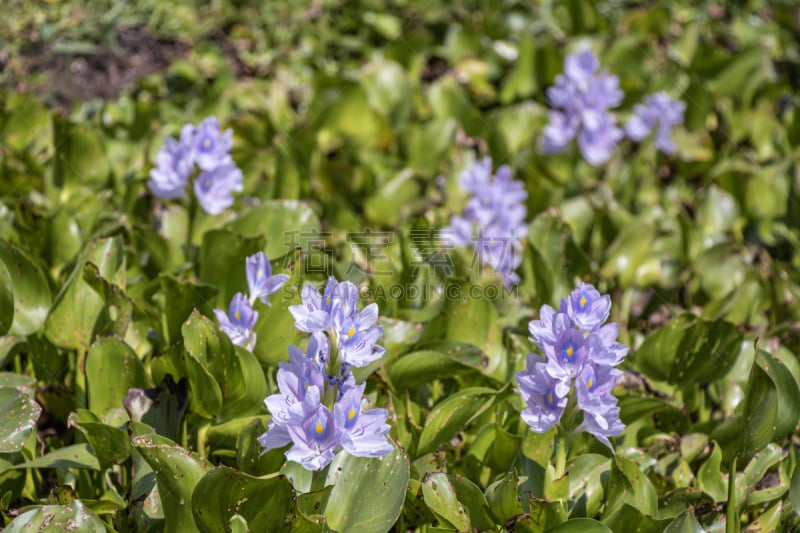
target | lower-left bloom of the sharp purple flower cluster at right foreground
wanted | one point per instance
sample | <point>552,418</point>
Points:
<point>544,406</point>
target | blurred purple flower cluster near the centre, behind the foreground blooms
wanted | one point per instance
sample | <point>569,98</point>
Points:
<point>497,208</point>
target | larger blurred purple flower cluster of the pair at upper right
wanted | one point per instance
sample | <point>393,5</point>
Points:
<point>581,98</point>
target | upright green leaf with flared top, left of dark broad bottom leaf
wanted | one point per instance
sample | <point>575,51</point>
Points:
<point>177,473</point>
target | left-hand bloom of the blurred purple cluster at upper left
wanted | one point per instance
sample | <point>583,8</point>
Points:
<point>173,165</point>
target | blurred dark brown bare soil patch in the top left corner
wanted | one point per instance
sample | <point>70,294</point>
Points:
<point>104,73</point>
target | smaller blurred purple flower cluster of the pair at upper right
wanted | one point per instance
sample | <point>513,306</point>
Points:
<point>659,112</point>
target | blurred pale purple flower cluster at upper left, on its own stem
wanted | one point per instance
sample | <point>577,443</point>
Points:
<point>207,147</point>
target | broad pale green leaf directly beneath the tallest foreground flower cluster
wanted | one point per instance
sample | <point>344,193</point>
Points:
<point>368,494</point>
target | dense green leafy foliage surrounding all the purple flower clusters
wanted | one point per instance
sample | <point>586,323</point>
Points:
<point>122,406</point>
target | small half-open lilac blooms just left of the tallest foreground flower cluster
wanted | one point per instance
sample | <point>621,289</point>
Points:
<point>239,321</point>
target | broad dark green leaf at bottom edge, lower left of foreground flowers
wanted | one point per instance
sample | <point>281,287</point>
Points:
<point>265,503</point>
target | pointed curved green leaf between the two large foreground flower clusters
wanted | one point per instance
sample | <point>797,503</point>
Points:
<point>452,415</point>
